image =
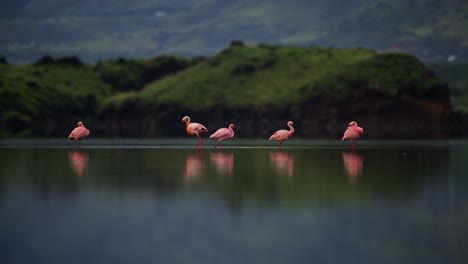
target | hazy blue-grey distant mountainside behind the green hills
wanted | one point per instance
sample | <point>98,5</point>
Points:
<point>101,29</point>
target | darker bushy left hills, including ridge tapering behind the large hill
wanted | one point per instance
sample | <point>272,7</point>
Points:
<point>50,92</point>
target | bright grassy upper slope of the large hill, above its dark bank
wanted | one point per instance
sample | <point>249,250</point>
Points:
<point>262,76</point>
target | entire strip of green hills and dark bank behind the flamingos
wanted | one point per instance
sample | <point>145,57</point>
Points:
<point>241,83</point>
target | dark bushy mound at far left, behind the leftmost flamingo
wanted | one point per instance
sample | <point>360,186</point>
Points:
<point>47,93</point>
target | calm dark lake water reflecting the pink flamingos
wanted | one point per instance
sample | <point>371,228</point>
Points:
<point>162,201</point>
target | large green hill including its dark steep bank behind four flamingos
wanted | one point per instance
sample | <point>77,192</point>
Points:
<point>263,86</point>
